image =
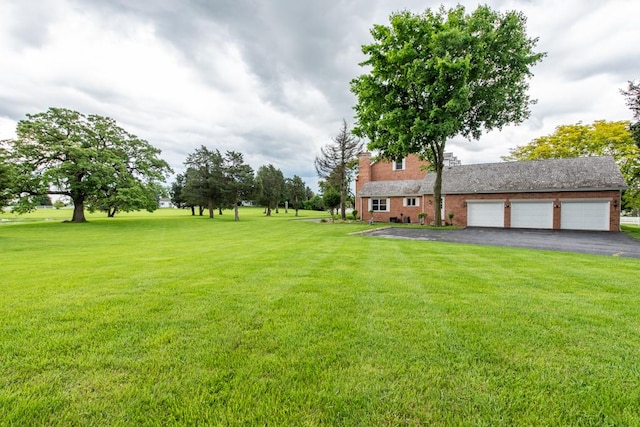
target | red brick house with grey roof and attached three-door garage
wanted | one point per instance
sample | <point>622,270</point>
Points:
<point>578,194</point>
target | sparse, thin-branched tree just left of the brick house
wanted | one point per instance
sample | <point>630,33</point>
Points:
<point>336,161</point>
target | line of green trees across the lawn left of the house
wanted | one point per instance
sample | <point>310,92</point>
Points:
<point>99,166</point>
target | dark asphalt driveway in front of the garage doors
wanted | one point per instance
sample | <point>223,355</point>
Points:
<point>587,242</point>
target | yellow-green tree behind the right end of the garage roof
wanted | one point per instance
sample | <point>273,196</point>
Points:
<point>601,138</point>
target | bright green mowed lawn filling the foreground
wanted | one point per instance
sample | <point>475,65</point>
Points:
<point>168,319</point>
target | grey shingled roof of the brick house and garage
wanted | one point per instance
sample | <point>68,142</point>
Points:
<point>573,174</point>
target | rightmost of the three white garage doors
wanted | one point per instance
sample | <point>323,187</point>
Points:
<point>593,215</point>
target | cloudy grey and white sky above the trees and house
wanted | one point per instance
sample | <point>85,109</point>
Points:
<point>270,78</point>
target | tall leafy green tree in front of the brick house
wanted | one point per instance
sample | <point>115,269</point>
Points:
<point>440,74</point>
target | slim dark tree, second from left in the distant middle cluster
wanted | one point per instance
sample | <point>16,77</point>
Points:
<point>240,182</point>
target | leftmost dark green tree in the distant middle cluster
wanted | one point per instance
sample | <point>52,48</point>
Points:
<point>204,179</point>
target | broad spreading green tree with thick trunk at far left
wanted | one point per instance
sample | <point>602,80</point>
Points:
<point>87,158</point>
